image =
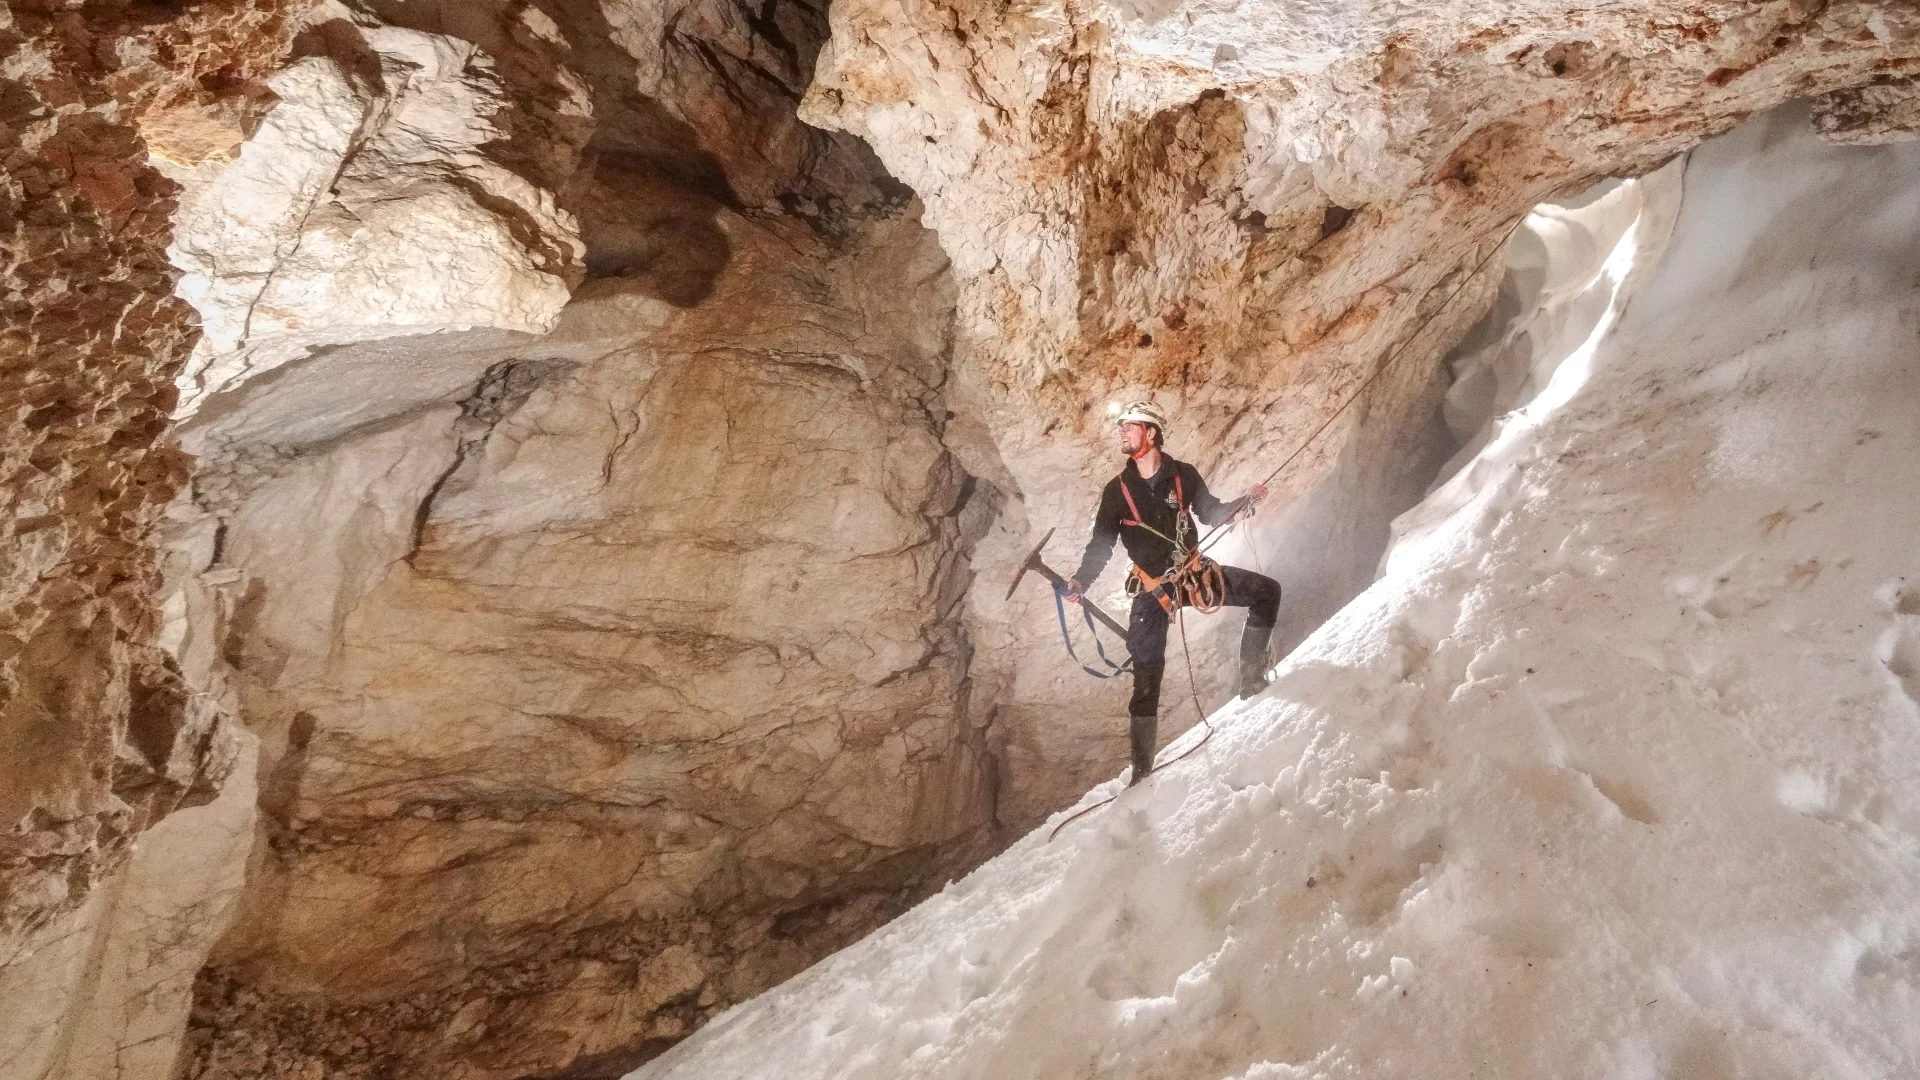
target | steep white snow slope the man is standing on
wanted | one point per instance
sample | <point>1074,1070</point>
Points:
<point>1618,773</point>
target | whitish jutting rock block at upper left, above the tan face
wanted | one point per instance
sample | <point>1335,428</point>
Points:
<point>366,207</point>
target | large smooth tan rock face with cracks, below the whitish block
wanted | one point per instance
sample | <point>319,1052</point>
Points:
<point>613,693</point>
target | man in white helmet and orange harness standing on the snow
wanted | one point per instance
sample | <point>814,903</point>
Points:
<point>1151,506</point>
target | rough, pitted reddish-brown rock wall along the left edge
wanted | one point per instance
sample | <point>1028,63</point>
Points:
<point>101,739</point>
